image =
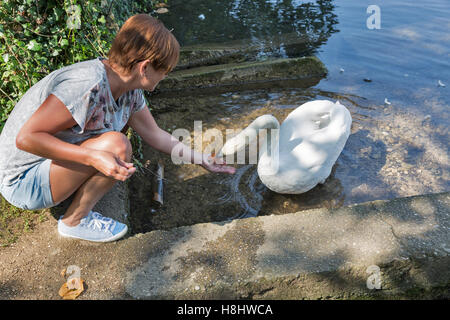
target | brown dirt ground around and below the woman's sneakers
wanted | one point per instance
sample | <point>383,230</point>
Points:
<point>31,267</point>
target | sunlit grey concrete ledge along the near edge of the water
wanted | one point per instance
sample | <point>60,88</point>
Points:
<point>311,254</point>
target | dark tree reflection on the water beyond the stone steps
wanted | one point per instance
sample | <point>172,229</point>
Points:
<point>286,27</point>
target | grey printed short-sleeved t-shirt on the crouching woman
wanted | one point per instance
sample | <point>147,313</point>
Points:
<point>84,89</point>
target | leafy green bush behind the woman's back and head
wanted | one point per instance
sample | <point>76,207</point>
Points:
<point>40,36</point>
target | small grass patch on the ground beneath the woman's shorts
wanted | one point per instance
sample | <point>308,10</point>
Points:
<point>15,222</point>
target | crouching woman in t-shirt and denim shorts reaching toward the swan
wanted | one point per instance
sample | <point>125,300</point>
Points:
<point>65,135</point>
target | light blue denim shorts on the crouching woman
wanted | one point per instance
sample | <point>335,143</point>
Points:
<point>32,190</point>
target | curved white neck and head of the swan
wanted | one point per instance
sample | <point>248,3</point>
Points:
<point>249,136</point>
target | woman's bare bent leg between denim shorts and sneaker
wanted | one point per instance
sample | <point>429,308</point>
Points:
<point>88,184</point>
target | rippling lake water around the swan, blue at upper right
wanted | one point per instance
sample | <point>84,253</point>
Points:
<point>396,149</point>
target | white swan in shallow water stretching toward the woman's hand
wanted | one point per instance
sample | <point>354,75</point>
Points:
<point>301,154</point>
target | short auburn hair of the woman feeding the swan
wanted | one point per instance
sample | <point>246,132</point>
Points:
<point>143,37</point>
